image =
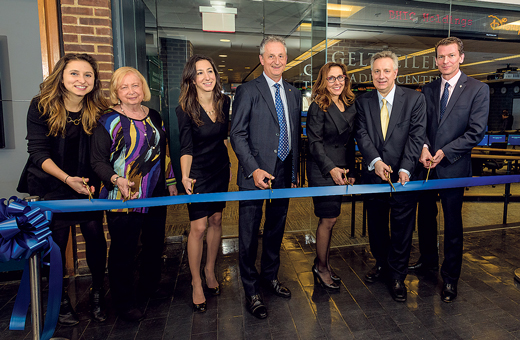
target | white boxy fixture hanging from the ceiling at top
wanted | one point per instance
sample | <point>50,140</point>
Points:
<point>218,17</point>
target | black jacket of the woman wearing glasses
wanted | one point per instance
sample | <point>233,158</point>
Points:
<point>331,137</point>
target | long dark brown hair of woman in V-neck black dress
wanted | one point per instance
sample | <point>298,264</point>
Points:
<point>188,97</point>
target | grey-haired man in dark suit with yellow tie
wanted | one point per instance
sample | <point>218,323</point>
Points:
<point>391,124</point>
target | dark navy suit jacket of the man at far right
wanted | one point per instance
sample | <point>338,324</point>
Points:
<point>462,127</point>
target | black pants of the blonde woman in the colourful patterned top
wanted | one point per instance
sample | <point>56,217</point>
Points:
<point>124,233</point>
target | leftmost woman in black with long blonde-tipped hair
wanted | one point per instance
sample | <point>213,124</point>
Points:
<point>60,123</point>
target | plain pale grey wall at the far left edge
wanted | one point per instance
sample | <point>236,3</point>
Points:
<point>20,74</point>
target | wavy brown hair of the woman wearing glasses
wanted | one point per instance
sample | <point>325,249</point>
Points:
<point>322,96</point>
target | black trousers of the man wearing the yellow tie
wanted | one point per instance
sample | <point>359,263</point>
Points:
<point>391,246</point>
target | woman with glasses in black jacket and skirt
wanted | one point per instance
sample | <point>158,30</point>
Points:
<point>330,125</point>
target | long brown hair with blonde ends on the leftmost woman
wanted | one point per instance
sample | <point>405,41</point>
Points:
<point>51,99</point>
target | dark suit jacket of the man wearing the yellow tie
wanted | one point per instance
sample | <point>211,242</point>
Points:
<point>404,137</point>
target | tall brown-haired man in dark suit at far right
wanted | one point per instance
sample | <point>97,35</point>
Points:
<point>457,112</point>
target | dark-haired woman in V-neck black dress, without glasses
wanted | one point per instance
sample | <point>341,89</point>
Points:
<point>203,116</point>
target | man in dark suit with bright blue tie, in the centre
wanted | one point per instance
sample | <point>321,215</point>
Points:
<point>264,135</point>
